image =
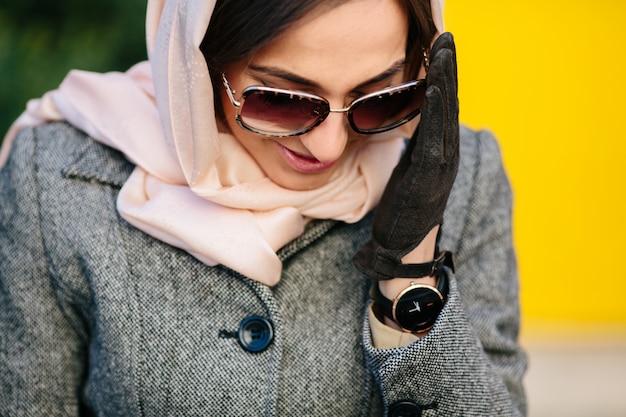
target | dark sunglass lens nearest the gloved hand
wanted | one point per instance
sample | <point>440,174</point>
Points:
<point>387,111</point>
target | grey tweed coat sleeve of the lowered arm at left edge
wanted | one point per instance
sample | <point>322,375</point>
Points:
<point>41,359</point>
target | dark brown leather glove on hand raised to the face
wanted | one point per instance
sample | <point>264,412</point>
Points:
<point>417,192</point>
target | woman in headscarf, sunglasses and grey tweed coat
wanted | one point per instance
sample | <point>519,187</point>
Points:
<point>179,239</point>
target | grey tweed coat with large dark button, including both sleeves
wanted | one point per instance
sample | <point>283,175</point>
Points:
<point>98,318</point>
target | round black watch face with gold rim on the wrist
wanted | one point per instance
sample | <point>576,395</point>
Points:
<point>416,308</point>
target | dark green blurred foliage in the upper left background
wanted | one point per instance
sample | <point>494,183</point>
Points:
<point>40,41</point>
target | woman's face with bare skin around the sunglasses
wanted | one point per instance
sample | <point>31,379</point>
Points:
<point>340,54</point>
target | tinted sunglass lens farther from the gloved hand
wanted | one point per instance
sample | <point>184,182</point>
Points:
<point>280,113</point>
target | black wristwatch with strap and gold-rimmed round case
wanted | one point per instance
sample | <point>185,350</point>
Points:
<point>417,307</point>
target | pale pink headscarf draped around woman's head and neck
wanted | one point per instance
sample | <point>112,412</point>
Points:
<point>194,187</point>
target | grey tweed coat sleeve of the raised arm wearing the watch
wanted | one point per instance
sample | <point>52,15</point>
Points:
<point>470,363</point>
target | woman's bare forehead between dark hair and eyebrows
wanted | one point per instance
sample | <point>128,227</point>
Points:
<point>340,46</point>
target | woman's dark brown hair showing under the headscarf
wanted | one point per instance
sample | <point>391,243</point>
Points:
<point>238,28</point>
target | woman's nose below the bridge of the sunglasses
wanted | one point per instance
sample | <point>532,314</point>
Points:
<point>328,140</point>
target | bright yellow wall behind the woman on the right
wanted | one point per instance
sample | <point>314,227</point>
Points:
<point>549,79</point>
